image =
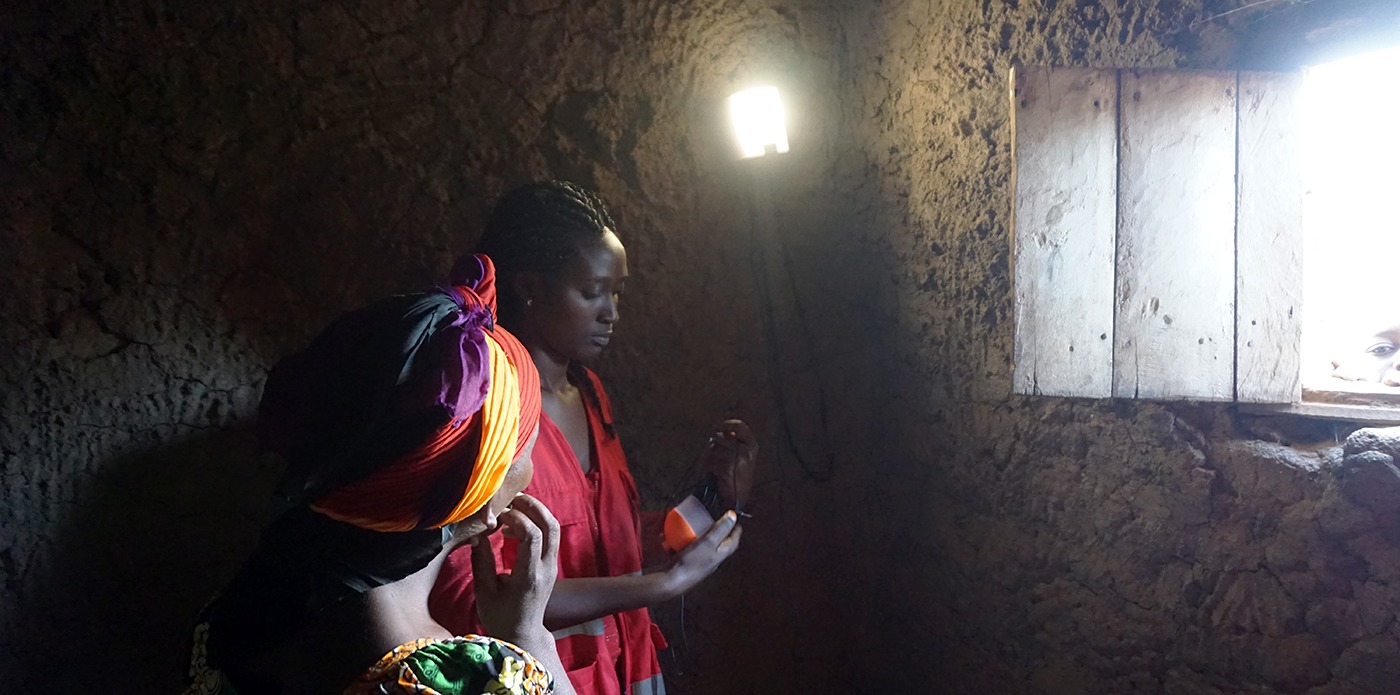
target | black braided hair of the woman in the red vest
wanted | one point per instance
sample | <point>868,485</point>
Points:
<point>538,229</point>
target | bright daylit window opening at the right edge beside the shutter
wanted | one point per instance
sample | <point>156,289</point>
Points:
<point>1352,228</point>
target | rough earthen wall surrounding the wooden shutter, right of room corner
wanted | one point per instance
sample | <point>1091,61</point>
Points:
<point>1055,546</point>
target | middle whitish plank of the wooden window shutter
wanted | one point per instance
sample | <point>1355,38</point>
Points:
<point>1177,238</point>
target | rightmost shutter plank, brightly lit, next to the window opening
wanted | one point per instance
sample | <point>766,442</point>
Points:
<point>1270,240</point>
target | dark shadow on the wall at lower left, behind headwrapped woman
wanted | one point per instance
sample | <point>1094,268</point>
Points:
<point>150,540</point>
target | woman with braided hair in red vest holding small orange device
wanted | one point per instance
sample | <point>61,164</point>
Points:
<point>563,270</point>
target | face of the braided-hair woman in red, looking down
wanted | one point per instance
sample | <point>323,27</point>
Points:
<point>572,315</point>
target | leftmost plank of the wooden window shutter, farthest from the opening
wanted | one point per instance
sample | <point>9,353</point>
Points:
<point>1065,141</point>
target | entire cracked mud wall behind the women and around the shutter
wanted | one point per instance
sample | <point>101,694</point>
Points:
<point>192,191</point>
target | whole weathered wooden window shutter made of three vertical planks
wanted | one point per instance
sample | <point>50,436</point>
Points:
<point>1157,235</point>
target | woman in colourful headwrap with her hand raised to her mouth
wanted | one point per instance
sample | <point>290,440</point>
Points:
<point>407,428</point>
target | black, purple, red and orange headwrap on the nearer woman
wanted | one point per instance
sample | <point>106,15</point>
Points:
<point>405,414</point>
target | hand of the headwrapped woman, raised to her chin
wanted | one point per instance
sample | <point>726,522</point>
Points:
<point>512,606</point>
